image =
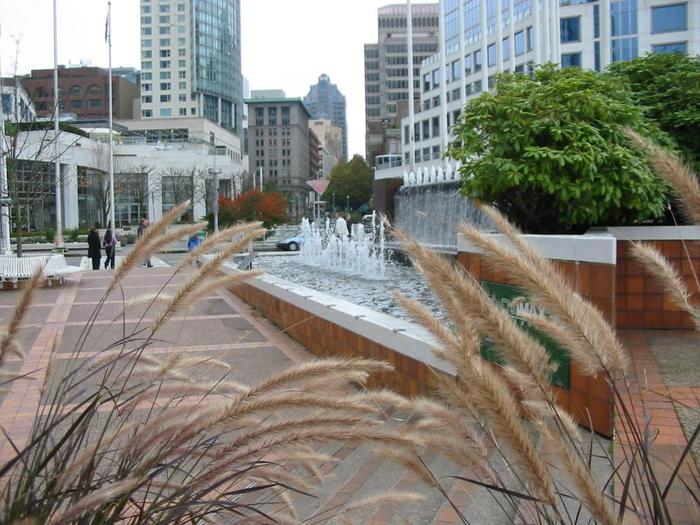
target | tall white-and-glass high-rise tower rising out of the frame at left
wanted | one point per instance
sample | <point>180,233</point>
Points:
<point>191,61</point>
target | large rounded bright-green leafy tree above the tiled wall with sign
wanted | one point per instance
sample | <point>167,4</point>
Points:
<point>550,152</point>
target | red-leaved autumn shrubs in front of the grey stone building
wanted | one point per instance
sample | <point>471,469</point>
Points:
<point>253,205</point>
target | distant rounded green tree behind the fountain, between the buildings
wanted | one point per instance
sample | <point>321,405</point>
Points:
<point>354,179</point>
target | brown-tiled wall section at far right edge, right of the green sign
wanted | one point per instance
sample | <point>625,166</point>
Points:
<point>640,299</point>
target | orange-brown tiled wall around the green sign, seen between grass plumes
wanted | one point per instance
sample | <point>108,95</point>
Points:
<point>588,397</point>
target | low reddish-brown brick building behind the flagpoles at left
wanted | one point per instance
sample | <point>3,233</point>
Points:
<point>82,91</point>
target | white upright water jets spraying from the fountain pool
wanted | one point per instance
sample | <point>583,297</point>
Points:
<point>361,254</point>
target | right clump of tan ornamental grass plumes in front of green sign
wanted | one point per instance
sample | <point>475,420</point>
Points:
<point>507,411</point>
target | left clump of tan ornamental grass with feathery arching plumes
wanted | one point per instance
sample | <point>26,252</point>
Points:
<point>125,436</point>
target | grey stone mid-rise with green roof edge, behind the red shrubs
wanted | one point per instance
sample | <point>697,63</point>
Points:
<point>279,145</point>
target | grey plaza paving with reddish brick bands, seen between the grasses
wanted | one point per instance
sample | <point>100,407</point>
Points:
<point>223,327</point>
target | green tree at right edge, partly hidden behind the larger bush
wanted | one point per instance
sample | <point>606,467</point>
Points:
<point>668,86</point>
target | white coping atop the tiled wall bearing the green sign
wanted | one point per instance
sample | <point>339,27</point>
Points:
<point>590,247</point>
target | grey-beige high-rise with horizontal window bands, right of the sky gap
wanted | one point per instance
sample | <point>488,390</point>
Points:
<point>386,73</point>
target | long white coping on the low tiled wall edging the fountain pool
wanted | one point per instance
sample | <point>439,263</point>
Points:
<point>401,336</point>
